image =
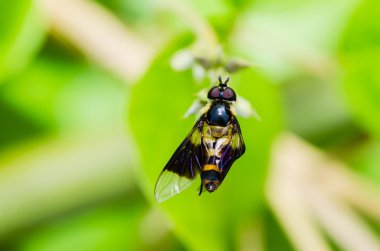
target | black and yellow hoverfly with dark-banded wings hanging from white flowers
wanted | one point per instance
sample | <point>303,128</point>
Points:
<point>210,148</point>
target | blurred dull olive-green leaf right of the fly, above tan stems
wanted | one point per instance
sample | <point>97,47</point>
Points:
<point>329,123</point>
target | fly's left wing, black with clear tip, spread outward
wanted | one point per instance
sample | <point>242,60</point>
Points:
<point>183,167</point>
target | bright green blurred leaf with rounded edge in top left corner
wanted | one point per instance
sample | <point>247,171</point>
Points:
<point>22,35</point>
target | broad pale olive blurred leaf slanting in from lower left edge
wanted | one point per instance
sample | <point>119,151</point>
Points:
<point>43,178</point>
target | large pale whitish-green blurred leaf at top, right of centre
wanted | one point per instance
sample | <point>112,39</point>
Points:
<point>287,38</point>
